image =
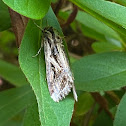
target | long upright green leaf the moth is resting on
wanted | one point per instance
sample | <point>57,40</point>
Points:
<point>50,112</point>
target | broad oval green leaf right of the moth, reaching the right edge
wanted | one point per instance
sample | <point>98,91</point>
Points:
<point>100,72</point>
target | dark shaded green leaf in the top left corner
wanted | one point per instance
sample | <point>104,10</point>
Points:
<point>4,17</point>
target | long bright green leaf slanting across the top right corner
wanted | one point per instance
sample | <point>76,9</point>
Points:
<point>103,8</point>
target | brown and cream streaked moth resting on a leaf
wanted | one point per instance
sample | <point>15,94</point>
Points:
<point>59,77</point>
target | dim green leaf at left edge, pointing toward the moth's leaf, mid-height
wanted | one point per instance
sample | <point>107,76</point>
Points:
<point>12,74</point>
